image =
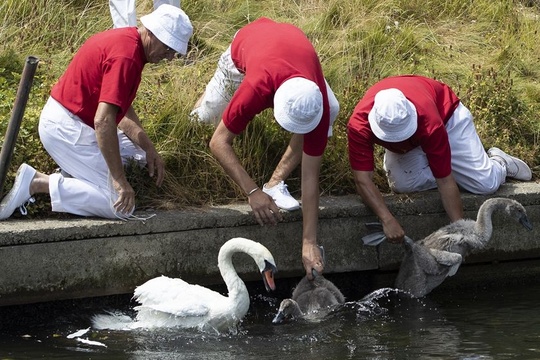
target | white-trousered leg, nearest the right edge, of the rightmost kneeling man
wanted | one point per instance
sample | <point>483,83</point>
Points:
<point>472,168</point>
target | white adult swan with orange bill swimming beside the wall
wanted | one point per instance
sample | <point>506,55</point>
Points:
<point>166,302</point>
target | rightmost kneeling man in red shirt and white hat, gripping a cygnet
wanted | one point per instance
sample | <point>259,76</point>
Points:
<point>430,142</point>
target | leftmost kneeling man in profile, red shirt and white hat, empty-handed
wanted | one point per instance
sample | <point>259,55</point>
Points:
<point>89,127</point>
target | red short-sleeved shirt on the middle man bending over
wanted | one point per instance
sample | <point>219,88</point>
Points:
<point>269,53</point>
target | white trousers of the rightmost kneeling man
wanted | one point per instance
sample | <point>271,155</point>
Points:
<point>472,168</point>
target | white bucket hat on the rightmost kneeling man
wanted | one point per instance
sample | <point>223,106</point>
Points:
<point>393,117</point>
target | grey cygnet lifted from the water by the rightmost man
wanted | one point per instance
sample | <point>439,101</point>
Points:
<point>429,261</point>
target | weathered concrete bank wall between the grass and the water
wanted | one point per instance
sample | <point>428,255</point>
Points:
<point>44,260</point>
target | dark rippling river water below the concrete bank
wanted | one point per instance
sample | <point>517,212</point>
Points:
<point>491,323</point>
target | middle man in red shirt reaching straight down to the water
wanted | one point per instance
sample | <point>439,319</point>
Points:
<point>273,65</point>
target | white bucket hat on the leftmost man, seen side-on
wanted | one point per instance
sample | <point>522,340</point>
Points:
<point>171,26</point>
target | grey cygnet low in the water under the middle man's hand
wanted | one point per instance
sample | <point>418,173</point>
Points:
<point>311,300</point>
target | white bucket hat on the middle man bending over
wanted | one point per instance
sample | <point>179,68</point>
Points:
<point>298,105</point>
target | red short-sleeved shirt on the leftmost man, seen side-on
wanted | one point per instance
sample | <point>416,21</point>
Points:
<point>107,68</point>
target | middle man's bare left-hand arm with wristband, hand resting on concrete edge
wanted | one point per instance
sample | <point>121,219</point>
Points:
<point>264,208</point>
